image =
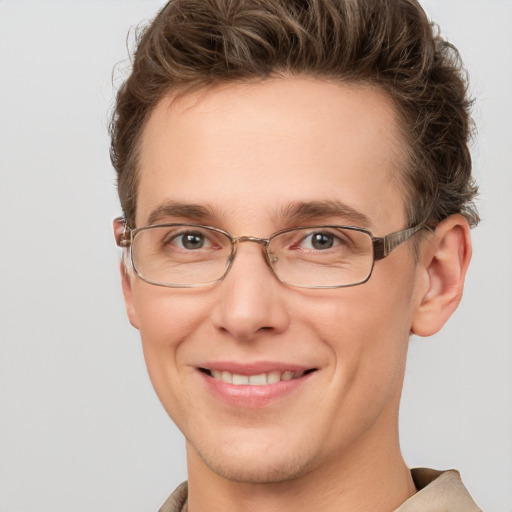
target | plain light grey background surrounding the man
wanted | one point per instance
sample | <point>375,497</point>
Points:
<point>80,427</point>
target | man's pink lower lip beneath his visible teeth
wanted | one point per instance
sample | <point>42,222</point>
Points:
<point>253,396</point>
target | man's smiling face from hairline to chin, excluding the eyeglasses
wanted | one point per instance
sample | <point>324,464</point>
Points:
<point>247,154</point>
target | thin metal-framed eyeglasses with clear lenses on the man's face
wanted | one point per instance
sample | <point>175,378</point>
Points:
<point>193,255</point>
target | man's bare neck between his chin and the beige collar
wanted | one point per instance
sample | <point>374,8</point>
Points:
<point>367,477</point>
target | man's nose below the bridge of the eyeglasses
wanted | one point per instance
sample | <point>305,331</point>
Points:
<point>251,299</point>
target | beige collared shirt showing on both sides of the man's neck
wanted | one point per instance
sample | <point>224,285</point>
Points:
<point>438,491</point>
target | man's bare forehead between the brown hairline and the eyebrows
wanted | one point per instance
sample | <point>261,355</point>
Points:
<point>250,150</point>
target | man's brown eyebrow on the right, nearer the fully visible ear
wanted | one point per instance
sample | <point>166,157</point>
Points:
<point>300,211</point>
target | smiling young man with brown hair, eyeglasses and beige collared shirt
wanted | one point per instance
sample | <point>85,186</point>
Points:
<point>297,198</point>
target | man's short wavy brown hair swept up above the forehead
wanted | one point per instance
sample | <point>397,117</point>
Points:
<point>385,43</point>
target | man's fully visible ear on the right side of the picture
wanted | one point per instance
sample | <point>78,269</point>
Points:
<point>444,259</point>
